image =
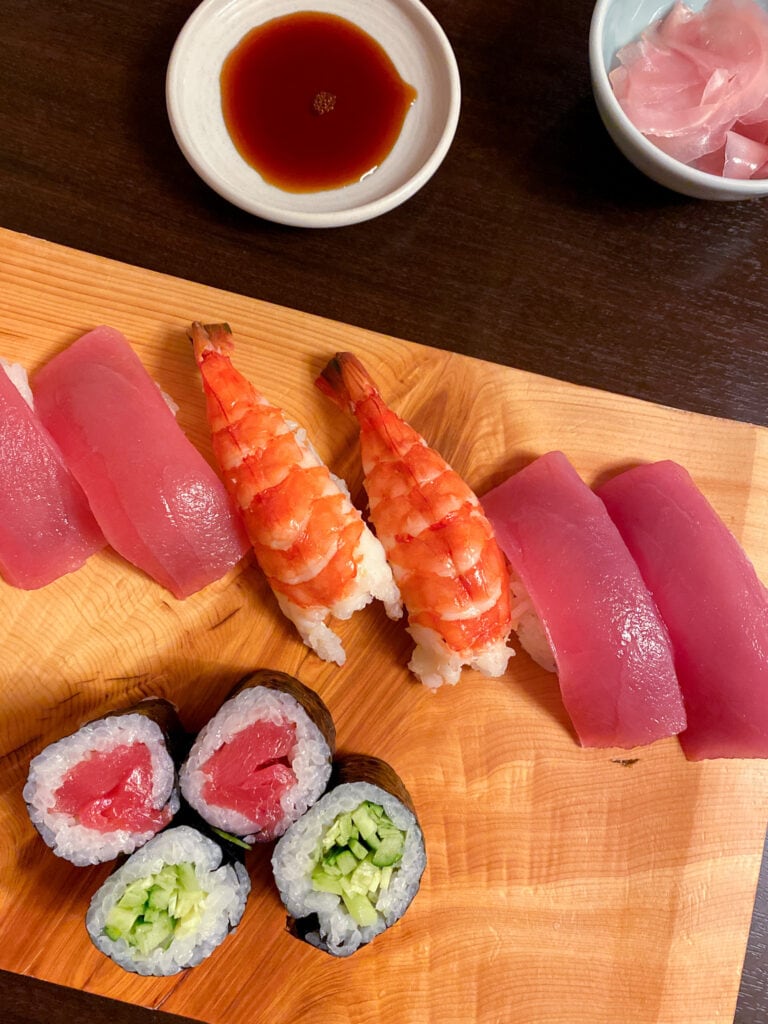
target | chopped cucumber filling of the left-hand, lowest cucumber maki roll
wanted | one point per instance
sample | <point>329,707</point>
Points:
<point>154,911</point>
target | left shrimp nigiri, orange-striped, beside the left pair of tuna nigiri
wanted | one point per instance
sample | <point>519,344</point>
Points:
<point>318,554</point>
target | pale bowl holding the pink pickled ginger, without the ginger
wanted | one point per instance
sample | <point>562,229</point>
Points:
<point>616,23</point>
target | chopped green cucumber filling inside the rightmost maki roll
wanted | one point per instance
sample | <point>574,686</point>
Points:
<point>357,858</point>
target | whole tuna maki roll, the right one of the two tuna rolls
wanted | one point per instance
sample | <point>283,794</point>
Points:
<point>263,760</point>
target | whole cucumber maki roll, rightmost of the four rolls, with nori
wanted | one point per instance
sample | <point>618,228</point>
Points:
<point>351,867</point>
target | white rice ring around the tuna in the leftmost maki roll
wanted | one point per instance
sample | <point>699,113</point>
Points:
<point>62,832</point>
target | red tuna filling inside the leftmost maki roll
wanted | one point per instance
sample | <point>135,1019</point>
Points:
<point>111,790</point>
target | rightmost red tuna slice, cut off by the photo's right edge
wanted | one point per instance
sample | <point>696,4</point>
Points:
<point>714,606</point>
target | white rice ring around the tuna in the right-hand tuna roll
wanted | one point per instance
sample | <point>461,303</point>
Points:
<point>310,758</point>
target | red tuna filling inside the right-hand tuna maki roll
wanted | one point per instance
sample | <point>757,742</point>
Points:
<point>251,773</point>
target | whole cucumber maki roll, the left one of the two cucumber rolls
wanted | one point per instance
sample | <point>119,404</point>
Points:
<point>169,906</point>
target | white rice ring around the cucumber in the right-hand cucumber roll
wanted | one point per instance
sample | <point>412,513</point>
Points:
<point>295,858</point>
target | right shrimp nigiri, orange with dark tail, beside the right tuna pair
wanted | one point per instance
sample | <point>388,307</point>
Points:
<point>451,572</point>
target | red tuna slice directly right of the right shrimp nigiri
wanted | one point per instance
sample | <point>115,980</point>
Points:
<point>613,653</point>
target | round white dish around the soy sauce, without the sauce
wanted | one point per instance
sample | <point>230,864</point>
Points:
<point>415,44</point>
